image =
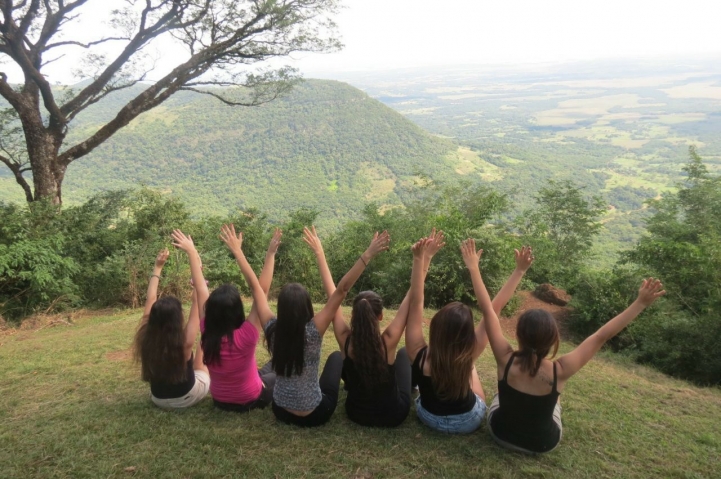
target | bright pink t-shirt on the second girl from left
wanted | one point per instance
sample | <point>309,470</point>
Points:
<point>236,380</point>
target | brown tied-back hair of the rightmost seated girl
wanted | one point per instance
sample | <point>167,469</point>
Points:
<point>537,334</point>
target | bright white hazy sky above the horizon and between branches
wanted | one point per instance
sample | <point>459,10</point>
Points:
<point>385,34</point>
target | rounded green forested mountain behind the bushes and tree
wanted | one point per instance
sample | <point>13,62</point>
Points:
<point>326,146</point>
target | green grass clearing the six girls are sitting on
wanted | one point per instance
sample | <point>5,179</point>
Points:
<point>71,408</point>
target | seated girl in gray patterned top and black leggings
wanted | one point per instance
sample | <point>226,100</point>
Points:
<point>294,340</point>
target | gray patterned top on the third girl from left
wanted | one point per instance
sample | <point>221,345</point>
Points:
<point>301,392</point>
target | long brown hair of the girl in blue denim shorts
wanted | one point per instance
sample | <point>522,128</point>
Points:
<point>451,344</point>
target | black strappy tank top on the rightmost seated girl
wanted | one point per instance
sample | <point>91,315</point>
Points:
<point>523,419</point>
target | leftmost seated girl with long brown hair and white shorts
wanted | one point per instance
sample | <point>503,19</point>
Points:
<point>164,345</point>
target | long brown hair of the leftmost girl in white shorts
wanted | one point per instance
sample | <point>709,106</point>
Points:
<point>160,343</point>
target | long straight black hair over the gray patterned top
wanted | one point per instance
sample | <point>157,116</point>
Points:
<point>286,336</point>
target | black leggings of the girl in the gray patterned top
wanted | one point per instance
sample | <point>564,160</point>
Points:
<point>329,383</point>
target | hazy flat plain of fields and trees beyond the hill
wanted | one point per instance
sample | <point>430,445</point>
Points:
<point>619,128</point>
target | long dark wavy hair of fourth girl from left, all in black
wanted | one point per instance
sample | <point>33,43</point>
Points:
<point>369,349</point>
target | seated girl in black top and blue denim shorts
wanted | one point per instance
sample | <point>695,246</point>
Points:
<point>451,397</point>
